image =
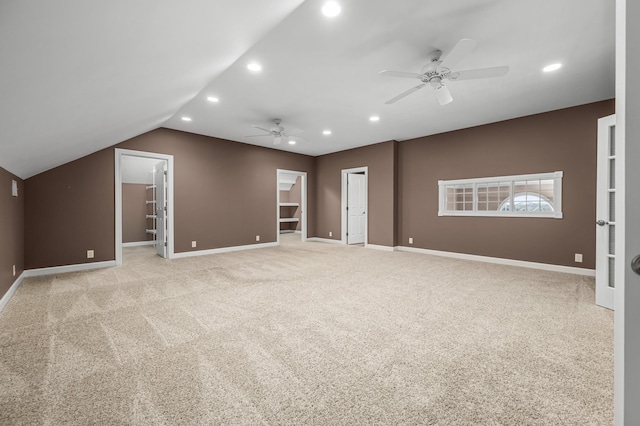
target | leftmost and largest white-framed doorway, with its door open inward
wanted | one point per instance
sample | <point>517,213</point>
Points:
<point>143,201</point>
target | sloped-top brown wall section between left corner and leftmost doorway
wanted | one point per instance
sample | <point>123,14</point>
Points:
<point>69,210</point>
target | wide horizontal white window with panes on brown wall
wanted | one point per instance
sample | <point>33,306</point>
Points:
<point>536,195</point>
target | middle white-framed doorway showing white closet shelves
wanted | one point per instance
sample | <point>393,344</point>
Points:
<point>291,204</point>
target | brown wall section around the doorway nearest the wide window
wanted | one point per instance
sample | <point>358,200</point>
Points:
<point>380,160</point>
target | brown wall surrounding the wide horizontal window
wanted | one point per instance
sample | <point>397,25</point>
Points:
<point>563,140</point>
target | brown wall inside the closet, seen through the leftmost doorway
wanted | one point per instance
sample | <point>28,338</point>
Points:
<point>134,212</point>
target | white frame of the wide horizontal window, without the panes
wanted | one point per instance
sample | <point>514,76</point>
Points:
<point>557,195</point>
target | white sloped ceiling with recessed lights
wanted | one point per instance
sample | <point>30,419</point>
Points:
<point>78,76</point>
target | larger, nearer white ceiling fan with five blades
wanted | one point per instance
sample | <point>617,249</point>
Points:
<point>439,70</point>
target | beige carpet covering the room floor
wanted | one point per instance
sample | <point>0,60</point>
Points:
<point>306,333</point>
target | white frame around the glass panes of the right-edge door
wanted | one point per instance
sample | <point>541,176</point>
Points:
<point>605,295</point>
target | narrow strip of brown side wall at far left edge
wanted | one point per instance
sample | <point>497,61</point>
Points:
<point>11,230</point>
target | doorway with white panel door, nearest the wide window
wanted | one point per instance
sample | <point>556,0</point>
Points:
<point>354,205</point>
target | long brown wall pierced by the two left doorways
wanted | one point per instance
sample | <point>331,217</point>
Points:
<point>225,195</point>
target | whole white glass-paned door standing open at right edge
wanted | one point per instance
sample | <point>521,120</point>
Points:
<point>606,213</point>
